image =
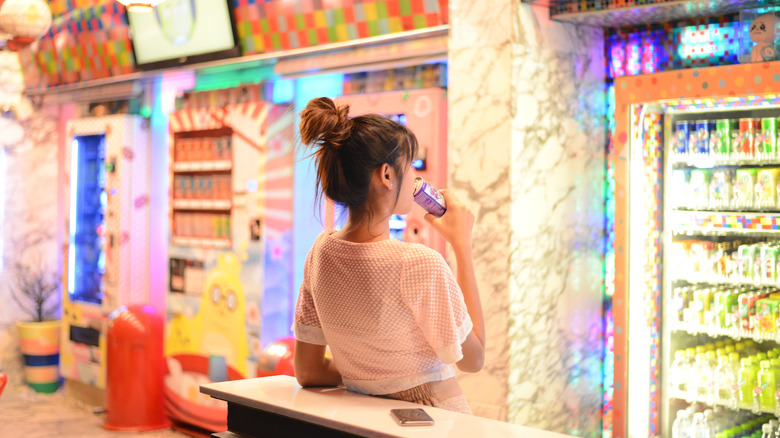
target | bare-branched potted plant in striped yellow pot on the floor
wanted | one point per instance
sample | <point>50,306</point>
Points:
<point>37,292</point>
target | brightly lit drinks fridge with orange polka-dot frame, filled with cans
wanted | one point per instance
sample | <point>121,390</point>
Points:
<point>696,236</point>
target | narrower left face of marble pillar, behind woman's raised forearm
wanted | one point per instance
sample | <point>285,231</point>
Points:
<point>479,117</point>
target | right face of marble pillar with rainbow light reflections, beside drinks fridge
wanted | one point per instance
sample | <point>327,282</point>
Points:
<point>557,191</point>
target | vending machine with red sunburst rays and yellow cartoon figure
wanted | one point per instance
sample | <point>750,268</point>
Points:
<point>230,282</point>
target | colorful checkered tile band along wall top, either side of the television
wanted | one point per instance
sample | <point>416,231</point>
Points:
<point>90,39</point>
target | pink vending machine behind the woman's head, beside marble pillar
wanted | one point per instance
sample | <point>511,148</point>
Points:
<point>424,112</point>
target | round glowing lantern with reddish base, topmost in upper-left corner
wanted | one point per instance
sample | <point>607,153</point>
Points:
<point>25,21</point>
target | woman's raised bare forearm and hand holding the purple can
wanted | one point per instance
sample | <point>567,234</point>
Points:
<point>455,226</point>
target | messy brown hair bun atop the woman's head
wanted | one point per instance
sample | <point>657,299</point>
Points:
<point>324,122</point>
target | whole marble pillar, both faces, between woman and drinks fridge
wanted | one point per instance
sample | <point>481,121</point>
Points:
<point>526,152</point>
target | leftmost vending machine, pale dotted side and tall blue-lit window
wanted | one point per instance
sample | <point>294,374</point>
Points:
<point>107,196</point>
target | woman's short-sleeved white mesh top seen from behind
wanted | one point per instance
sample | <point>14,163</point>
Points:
<point>391,312</point>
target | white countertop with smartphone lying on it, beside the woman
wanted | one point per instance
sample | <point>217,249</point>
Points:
<point>340,409</point>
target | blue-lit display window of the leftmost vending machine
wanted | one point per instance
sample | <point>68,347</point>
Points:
<point>88,198</point>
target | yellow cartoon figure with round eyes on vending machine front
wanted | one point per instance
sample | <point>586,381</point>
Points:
<point>222,313</point>
